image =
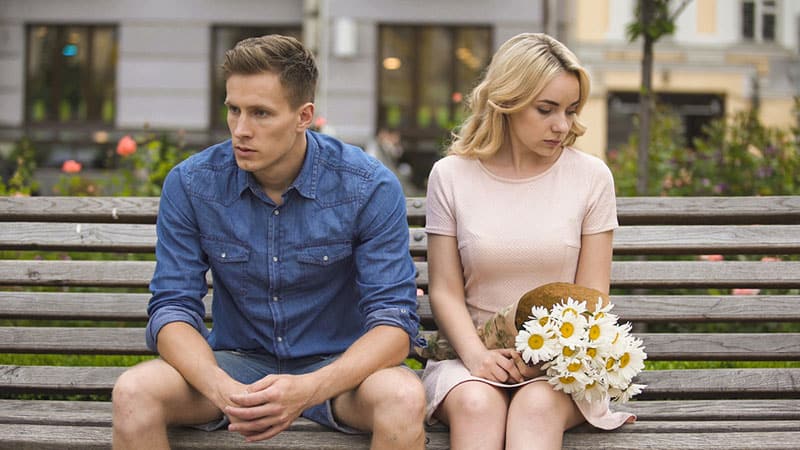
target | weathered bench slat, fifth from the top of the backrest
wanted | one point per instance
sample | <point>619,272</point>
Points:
<point>659,346</point>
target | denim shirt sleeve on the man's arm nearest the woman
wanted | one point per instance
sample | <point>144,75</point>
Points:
<point>385,271</point>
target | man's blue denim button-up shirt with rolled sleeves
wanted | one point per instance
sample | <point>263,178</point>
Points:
<point>305,278</point>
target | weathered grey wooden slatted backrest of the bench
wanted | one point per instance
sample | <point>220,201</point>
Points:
<point>55,298</point>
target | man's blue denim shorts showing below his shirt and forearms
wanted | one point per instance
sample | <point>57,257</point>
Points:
<point>249,367</point>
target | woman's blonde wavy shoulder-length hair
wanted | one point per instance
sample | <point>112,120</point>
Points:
<point>517,74</point>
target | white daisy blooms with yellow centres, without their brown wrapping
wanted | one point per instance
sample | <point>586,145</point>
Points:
<point>582,349</point>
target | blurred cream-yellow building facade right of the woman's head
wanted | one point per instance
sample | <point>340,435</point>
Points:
<point>725,56</point>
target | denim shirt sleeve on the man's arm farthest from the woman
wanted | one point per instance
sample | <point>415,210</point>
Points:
<point>179,282</point>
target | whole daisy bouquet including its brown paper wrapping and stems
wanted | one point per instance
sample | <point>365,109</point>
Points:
<point>570,332</point>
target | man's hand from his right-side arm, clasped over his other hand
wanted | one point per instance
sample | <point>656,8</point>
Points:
<point>270,405</point>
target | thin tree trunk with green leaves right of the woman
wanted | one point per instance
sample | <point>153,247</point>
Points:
<point>653,21</point>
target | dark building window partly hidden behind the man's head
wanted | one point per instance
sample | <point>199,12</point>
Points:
<point>224,38</point>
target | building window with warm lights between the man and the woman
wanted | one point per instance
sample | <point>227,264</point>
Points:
<point>425,74</point>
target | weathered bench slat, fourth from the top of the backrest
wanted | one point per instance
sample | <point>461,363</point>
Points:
<point>635,308</point>
